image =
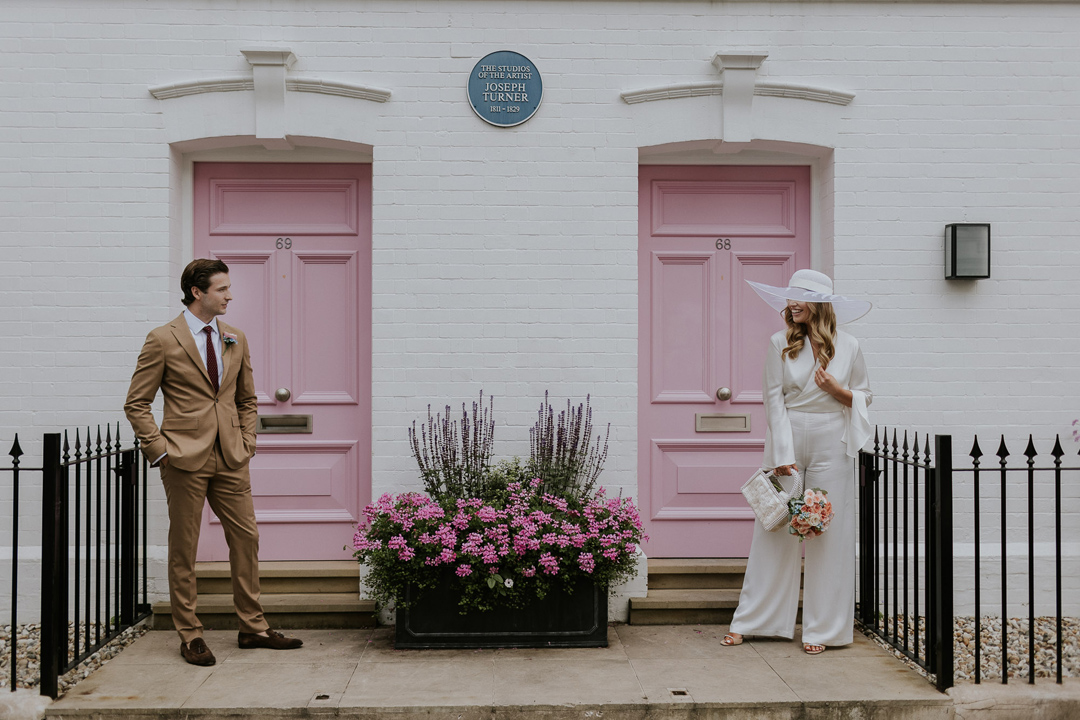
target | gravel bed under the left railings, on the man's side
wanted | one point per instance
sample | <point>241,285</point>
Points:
<point>29,658</point>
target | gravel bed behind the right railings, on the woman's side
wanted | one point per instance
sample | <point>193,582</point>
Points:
<point>1046,648</point>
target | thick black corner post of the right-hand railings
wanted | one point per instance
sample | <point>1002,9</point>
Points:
<point>941,606</point>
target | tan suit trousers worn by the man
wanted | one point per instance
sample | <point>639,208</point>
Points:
<point>229,493</point>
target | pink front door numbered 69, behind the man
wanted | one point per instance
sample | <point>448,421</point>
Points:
<point>298,241</point>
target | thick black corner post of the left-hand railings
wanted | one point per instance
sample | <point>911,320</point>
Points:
<point>53,566</point>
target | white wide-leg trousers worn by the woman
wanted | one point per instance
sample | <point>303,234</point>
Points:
<point>771,593</point>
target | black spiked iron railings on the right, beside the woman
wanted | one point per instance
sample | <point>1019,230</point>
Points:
<point>908,559</point>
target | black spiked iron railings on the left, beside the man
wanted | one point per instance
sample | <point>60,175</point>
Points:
<point>93,547</point>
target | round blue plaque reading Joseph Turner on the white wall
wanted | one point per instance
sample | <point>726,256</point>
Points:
<point>506,89</point>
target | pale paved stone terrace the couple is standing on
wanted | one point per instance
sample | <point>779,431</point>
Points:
<point>672,672</point>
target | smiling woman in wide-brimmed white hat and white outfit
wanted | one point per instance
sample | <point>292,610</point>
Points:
<point>816,411</point>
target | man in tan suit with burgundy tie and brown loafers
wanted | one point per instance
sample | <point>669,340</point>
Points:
<point>207,438</point>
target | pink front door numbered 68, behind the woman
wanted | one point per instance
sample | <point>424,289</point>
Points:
<point>704,232</point>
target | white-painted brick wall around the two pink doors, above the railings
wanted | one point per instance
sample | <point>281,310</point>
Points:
<point>506,260</point>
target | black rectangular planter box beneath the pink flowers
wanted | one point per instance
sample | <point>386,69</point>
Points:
<point>561,620</point>
